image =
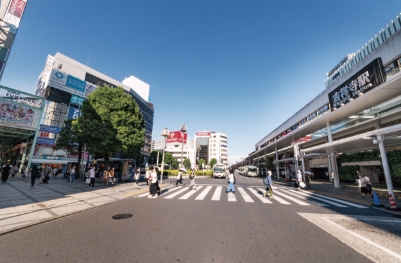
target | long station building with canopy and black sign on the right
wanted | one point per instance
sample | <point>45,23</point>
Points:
<point>357,112</point>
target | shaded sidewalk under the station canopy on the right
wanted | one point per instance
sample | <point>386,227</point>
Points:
<point>352,193</point>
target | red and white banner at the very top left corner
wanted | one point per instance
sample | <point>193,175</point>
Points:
<point>13,16</point>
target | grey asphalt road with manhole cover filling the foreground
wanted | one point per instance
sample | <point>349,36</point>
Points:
<point>189,230</point>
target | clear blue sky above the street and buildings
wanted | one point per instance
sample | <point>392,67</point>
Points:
<point>237,67</point>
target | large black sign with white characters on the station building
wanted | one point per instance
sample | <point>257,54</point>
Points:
<point>363,81</point>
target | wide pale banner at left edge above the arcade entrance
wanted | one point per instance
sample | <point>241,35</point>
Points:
<point>16,115</point>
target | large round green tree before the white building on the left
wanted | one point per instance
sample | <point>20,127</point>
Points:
<point>111,121</point>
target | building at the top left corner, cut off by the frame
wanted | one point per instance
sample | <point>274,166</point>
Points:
<point>11,12</point>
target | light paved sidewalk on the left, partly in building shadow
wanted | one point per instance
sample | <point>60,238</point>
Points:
<point>22,205</point>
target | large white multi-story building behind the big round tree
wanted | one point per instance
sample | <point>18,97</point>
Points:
<point>65,83</point>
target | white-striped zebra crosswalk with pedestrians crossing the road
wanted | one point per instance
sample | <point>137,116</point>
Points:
<point>281,196</point>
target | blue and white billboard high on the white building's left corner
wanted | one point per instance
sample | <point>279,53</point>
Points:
<point>59,79</point>
